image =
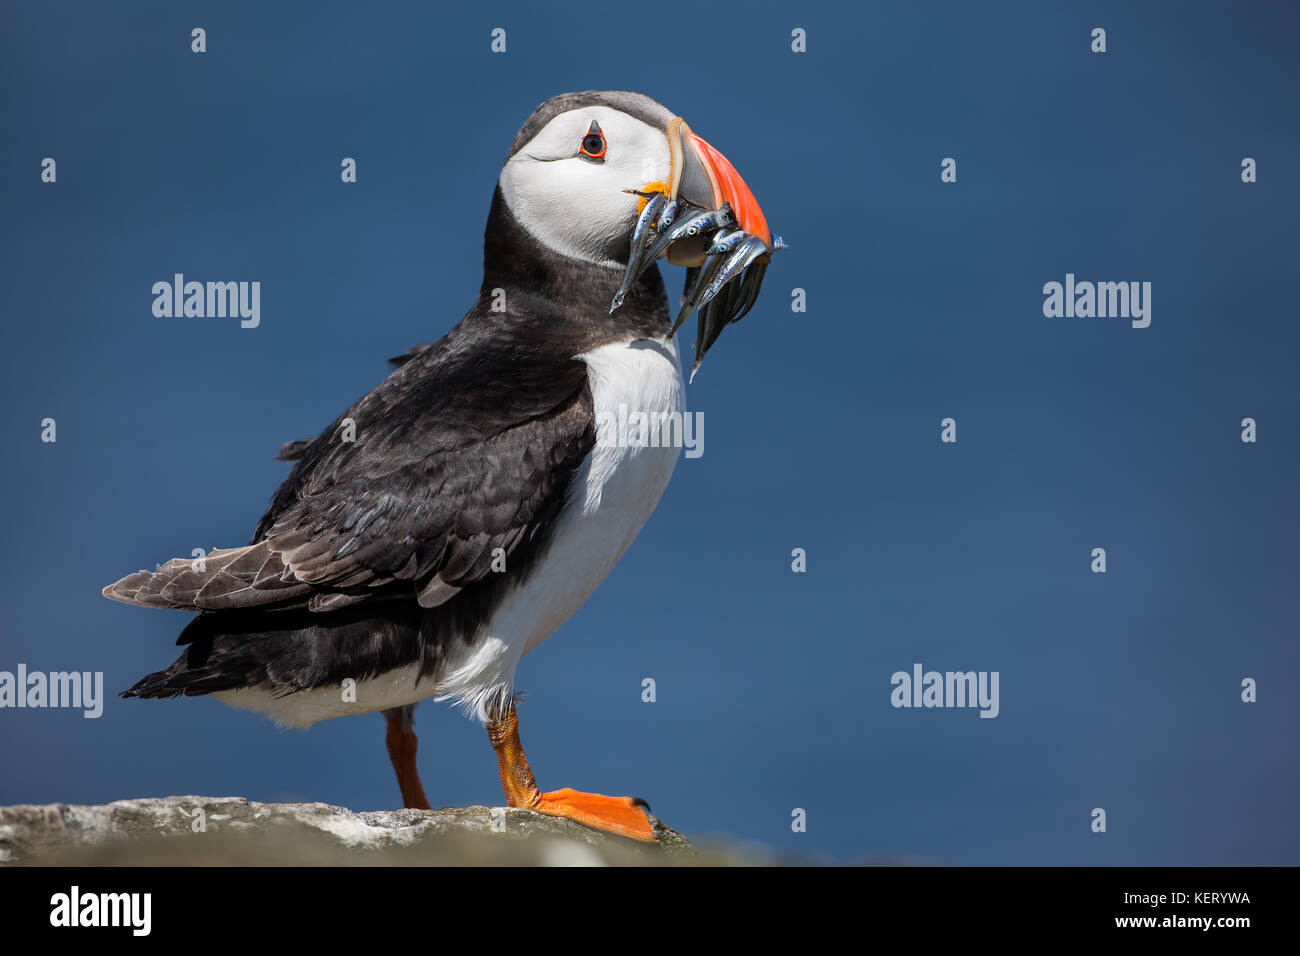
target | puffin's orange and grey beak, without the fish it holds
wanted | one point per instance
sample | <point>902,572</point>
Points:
<point>707,179</point>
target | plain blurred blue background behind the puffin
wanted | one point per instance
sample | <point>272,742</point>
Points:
<point>822,429</point>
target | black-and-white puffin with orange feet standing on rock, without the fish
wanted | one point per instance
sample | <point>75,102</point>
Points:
<point>458,514</point>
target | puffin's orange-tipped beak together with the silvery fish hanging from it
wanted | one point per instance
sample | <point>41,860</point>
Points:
<point>708,220</point>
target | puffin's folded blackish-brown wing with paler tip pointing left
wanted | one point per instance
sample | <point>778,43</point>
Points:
<point>458,464</point>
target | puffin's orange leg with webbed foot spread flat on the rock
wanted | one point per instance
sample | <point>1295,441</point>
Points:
<point>621,816</point>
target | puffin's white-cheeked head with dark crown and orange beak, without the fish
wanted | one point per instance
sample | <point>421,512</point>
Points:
<point>578,165</point>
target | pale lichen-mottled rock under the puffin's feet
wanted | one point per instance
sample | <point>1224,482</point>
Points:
<point>194,830</point>
